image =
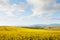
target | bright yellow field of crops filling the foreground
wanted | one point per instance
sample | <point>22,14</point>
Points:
<point>17,33</point>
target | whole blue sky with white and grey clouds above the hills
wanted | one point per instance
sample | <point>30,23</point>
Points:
<point>29,12</point>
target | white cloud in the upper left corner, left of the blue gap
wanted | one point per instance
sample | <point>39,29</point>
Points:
<point>8,9</point>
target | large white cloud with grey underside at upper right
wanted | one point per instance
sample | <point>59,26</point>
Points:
<point>40,7</point>
